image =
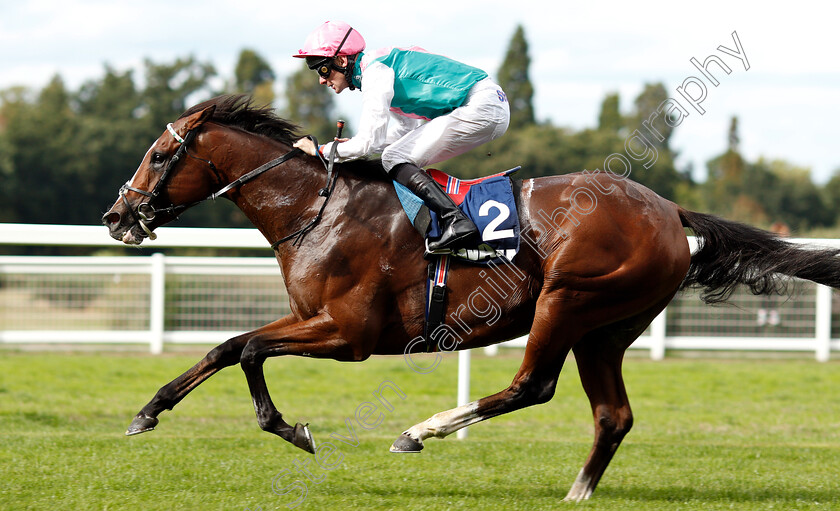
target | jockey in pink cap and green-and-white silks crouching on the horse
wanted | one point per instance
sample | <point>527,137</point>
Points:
<point>417,109</point>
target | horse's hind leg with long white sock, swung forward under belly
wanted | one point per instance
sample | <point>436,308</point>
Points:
<point>533,384</point>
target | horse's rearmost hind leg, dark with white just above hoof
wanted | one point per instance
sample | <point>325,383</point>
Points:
<point>599,365</point>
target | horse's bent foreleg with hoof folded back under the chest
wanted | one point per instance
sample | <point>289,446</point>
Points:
<point>316,337</point>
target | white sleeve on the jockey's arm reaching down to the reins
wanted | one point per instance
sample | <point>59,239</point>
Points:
<point>371,137</point>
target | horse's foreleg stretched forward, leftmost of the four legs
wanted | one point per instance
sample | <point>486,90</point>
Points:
<point>224,355</point>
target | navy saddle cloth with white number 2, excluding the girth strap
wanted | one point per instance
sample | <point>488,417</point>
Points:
<point>487,201</point>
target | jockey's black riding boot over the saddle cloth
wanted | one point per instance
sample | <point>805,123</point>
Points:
<point>458,231</point>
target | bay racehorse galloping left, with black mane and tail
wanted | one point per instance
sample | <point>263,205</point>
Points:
<point>600,257</point>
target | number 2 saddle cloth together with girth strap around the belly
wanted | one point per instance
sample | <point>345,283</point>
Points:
<point>490,204</point>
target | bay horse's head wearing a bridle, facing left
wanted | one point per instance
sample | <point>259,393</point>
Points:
<point>166,183</point>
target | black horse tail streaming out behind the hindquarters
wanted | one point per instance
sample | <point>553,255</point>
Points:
<point>730,253</point>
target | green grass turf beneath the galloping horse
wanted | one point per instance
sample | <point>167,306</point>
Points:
<point>709,434</point>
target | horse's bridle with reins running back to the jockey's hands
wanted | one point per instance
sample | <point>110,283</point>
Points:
<point>146,212</point>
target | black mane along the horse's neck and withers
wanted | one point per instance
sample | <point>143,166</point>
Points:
<point>239,111</point>
